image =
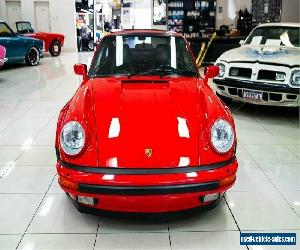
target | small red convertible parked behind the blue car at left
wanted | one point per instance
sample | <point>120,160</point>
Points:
<point>53,41</point>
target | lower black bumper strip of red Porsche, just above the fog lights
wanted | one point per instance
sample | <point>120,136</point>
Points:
<point>148,190</point>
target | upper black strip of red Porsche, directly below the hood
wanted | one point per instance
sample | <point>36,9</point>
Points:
<point>146,171</point>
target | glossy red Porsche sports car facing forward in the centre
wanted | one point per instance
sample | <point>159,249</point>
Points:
<point>144,132</point>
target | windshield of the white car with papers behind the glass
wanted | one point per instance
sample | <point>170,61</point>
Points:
<point>275,36</point>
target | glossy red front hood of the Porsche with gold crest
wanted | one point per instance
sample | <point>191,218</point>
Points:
<point>145,123</point>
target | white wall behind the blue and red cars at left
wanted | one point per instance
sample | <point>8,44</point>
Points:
<point>62,17</point>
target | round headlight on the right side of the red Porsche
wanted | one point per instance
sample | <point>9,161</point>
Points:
<point>222,136</point>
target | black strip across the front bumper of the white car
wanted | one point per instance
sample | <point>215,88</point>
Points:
<point>263,86</point>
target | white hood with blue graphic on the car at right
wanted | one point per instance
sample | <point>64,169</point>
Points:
<point>282,55</point>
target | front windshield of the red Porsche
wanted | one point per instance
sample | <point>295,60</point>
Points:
<point>143,54</point>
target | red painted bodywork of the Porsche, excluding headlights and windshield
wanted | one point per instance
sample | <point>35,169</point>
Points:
<point>150,112</point>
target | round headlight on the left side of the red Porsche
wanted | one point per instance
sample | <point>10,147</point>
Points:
<point>72,138</point>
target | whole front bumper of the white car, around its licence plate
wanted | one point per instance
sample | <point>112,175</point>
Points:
<point>272,94</point>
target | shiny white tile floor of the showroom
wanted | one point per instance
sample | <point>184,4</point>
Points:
<point>36,214</point>
